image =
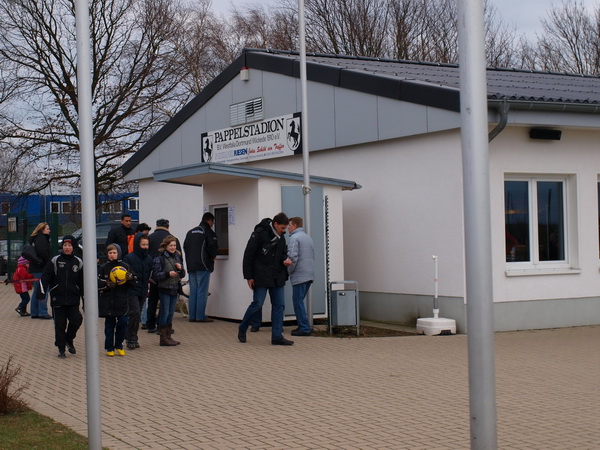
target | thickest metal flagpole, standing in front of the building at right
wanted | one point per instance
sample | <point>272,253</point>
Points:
<point>476,193</point>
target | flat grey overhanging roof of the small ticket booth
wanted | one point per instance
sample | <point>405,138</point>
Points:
<point>208,173</point>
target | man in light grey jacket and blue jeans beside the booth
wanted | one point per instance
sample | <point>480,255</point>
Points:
<point>301,255</point>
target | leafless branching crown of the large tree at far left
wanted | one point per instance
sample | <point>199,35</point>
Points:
<point>135,86</point>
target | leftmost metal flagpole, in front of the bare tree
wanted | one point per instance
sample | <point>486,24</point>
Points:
<point>88,206</point>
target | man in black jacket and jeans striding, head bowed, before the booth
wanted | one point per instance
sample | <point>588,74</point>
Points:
<point>264,264</point>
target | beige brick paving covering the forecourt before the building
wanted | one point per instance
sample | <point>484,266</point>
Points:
<point>212,392</point>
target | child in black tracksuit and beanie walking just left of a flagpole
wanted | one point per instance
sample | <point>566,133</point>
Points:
<point>63,279</point>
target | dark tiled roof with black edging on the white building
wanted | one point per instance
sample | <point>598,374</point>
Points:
<point>429,84</point>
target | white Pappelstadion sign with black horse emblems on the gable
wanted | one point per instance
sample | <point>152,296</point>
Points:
<point>269,138</point>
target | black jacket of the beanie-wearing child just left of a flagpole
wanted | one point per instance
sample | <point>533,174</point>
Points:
<point>63,278</point>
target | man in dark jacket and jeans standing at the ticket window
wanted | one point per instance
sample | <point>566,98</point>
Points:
<point>201,249</point>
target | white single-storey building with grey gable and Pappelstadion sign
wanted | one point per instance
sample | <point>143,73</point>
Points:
<point>392,127</point>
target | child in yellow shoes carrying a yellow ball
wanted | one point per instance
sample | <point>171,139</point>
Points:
<point>113,301</point>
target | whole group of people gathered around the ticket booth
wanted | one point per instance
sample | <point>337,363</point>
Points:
<point>153,267</point>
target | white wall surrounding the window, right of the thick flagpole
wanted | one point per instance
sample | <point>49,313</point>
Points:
<point>577,155</point>
